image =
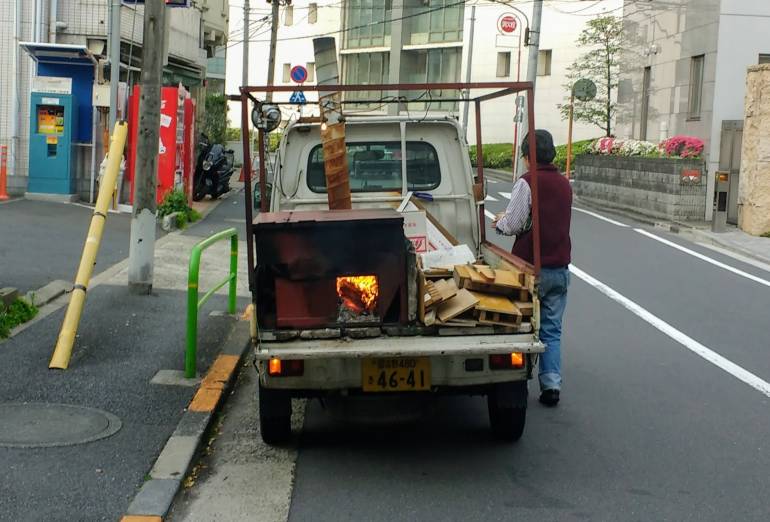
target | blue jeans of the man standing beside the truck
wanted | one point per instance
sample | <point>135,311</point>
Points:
<point>553,300</point>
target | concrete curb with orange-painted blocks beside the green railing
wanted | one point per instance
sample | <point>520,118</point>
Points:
<point>154,499</point>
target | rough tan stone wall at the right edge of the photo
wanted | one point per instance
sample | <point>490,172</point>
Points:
<point>754,187</point>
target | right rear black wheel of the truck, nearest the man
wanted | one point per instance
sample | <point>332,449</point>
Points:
<point>507,405</point>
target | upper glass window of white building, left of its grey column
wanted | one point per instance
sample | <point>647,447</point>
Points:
<point>368,23</point>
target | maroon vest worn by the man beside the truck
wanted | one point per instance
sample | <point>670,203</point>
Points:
<point>555,199</point>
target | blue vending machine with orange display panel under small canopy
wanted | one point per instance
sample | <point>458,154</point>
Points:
<point>53,121</point>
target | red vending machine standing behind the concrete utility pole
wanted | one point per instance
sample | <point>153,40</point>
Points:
<point>174,167</point>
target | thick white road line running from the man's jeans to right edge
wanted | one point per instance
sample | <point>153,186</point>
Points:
<point>678,336</point>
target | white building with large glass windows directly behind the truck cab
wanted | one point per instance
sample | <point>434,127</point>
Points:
<point>415,41</point>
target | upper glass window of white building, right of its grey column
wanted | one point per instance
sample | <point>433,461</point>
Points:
<point>430,21</point>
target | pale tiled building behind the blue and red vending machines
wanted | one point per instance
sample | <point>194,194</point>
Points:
<point>194,33</point>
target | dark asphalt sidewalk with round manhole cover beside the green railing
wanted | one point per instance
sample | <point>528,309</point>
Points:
<point>123,342</point>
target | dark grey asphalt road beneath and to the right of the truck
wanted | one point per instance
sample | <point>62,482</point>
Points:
<point>664,412</point>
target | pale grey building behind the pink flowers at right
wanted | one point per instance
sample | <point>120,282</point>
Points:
<point>685,74</point>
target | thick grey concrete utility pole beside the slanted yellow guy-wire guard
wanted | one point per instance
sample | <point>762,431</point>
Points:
<point>143,221</point>
